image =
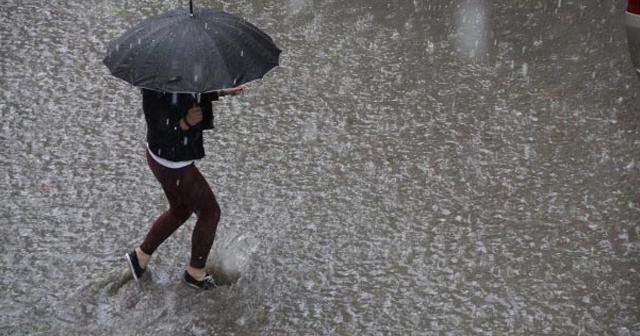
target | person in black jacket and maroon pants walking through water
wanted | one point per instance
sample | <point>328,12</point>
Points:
<point>174,142</point>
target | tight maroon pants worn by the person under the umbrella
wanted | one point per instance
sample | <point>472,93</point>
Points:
<point>187,192</point>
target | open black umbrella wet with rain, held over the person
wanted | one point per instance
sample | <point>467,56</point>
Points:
<point>193,51</point>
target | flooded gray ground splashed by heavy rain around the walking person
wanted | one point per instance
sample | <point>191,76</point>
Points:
<point>412,168</point>
